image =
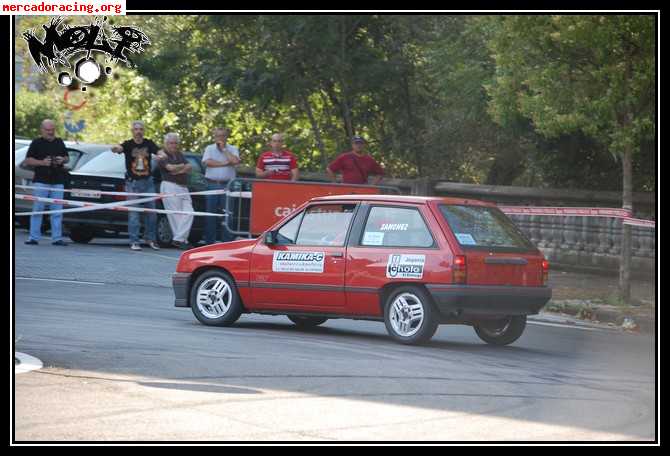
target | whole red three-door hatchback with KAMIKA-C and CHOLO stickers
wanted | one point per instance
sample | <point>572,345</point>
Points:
<point>412,262</point>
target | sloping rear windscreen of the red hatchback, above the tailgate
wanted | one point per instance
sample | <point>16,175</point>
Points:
<point>484,227</point>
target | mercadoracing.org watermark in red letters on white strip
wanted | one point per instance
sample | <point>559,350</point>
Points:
<point>63,7</point>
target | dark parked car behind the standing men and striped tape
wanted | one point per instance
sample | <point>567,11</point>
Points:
<point>106,172</point>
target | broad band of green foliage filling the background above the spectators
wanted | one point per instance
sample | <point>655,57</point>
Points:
<point>524,100</point>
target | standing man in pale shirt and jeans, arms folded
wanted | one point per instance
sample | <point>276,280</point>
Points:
<point>220,160</point>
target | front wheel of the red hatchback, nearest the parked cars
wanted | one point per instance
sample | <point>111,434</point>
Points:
<point>215,300</point>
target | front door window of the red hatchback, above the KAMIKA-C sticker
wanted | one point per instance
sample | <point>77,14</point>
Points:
<point>325,225</point>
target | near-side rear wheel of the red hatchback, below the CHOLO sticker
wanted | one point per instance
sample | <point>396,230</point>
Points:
<point>409,315</point>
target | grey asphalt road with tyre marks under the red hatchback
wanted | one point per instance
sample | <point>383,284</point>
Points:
<point>122,364</point>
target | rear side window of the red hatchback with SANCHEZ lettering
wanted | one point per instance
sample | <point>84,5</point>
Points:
<point>396,227</point>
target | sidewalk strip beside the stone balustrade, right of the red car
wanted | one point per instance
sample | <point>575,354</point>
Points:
<point>587,299</point>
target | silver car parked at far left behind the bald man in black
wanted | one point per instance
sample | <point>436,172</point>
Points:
<point>80,153</point>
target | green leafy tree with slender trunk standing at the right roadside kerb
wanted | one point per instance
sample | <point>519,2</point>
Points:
<point>590,74</point>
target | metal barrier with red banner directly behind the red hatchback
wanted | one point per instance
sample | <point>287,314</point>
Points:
<point>281,197</point>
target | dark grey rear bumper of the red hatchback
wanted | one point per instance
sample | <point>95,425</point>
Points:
<point>470,300</point>
